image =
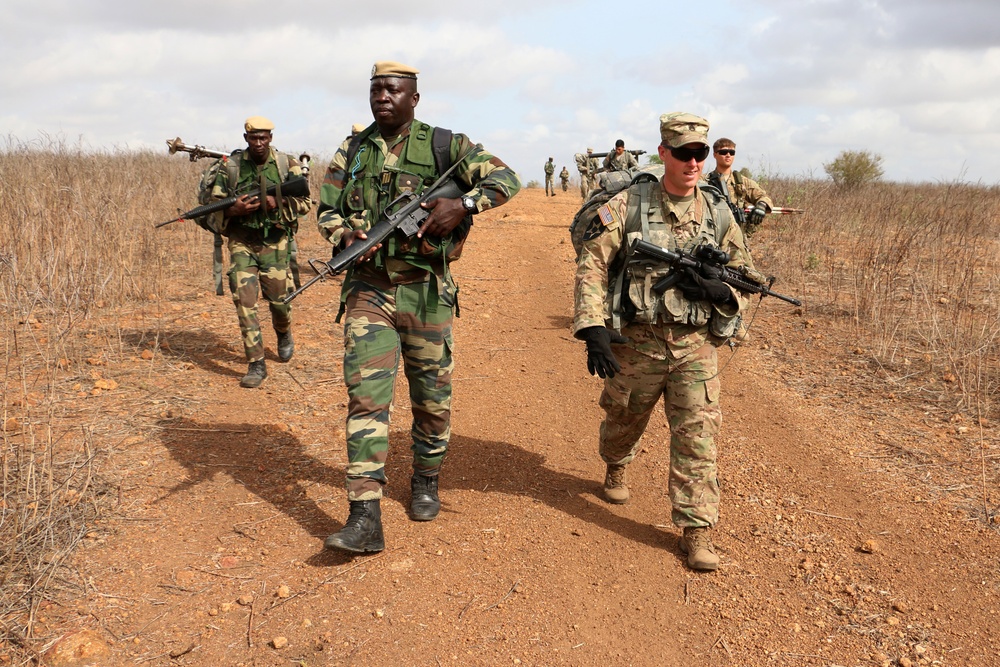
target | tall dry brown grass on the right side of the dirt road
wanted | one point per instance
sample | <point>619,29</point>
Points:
<point>915,269</point>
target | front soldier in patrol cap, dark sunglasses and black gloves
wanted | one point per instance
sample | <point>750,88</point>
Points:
<point>647,345</point>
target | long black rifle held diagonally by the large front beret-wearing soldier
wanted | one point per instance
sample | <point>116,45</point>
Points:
<point>408,219</point>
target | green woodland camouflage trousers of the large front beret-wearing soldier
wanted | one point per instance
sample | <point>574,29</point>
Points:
<point>412,322</point>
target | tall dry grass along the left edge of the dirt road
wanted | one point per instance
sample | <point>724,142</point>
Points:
<point>77,248</point>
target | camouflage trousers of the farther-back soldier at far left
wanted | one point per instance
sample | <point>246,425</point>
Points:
<point>256,266</point>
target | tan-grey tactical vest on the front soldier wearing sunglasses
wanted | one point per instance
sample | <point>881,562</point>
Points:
<point>633,299</point>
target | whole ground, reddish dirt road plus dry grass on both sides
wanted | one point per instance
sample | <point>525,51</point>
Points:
<point>120,404</point>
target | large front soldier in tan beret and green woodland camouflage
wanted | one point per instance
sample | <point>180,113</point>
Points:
<point>400,297</point>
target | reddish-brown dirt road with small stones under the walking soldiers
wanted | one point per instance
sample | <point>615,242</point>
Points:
<point>833,551</point>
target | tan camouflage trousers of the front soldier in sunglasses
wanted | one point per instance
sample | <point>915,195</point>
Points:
<point>691,403</point>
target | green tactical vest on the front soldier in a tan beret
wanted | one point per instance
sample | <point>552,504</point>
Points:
<point>427,154</point>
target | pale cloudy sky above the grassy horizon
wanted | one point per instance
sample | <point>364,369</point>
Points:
<point>792,82</point>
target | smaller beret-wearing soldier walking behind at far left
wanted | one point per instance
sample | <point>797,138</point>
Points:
<point>260,233</point>
